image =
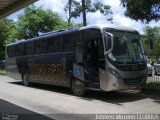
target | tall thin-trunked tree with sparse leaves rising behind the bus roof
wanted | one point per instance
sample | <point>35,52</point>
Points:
<point>75,9</point>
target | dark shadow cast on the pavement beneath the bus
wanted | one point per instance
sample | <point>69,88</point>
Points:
<point>114,97</point>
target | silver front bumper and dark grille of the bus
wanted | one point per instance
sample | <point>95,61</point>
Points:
<point>128,80</point>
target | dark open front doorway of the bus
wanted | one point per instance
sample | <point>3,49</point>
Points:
<point>91,62</point>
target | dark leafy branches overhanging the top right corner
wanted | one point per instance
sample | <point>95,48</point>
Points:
<point>144,10</point>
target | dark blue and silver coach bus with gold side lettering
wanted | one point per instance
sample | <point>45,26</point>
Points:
<point>95,57</point>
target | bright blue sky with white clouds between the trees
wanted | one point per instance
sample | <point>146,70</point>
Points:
<point>94,18</point>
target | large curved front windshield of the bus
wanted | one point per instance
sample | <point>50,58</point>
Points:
<point>127,47</point>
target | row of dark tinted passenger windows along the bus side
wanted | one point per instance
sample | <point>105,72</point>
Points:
<point>43,46</point>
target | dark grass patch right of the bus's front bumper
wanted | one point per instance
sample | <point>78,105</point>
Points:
<point>151,88</point>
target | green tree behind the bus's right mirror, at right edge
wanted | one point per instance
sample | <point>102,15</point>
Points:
<point>153,33</point>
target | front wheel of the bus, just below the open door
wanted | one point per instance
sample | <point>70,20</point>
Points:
<point>78,87</point>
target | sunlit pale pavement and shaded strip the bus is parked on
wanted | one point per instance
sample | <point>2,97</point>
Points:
<point>59,103</point>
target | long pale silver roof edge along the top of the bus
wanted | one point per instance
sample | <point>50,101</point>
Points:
<point>71,30</point>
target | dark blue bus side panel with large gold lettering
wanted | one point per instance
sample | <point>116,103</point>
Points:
<point>52,68</point>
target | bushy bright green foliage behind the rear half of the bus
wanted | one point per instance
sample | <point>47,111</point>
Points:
<point>32,23</point>
